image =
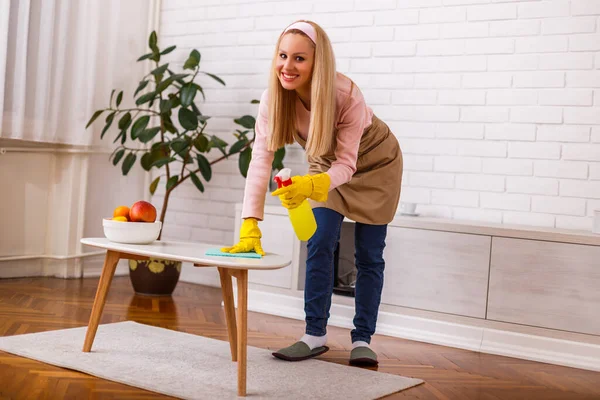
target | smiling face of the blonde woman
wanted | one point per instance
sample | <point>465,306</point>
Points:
<point>295,61</point>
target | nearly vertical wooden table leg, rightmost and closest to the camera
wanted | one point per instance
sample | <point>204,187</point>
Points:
<point>242,281</point>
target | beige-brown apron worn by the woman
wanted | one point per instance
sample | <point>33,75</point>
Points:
<point>372,195</point>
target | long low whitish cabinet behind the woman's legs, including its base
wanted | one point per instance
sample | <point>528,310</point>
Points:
<point>502,289</point>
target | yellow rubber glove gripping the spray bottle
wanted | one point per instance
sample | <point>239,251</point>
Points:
<point>315,187</point>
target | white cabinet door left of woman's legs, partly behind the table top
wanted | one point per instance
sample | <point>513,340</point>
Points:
<point>278,237</point>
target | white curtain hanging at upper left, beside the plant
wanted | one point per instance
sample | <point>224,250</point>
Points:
<point>61,60</point>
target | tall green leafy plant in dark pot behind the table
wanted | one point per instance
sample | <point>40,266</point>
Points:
<point>167,131</point>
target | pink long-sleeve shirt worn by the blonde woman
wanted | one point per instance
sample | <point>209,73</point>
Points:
<point>352,117</point>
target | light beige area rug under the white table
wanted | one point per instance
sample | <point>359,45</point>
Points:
<point>195,367</point>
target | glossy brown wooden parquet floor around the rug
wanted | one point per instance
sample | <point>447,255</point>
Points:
<point>42,304</point>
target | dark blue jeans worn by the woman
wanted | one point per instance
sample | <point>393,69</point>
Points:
<point>369,245</point>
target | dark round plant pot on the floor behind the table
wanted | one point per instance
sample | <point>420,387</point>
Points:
<point>154,277</point>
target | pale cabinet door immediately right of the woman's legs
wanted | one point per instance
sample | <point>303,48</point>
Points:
<point>437,271</point>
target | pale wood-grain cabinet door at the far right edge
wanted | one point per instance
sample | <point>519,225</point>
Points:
<point>546,284</point>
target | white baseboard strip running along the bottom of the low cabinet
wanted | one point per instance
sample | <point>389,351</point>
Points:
<point>485,340</point>
